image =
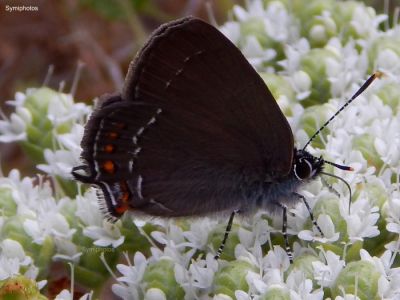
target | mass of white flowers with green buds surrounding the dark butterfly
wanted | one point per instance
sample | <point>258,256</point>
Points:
<point>312,56</point>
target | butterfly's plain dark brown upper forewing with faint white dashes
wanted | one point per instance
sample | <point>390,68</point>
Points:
<point>189,66</point>
